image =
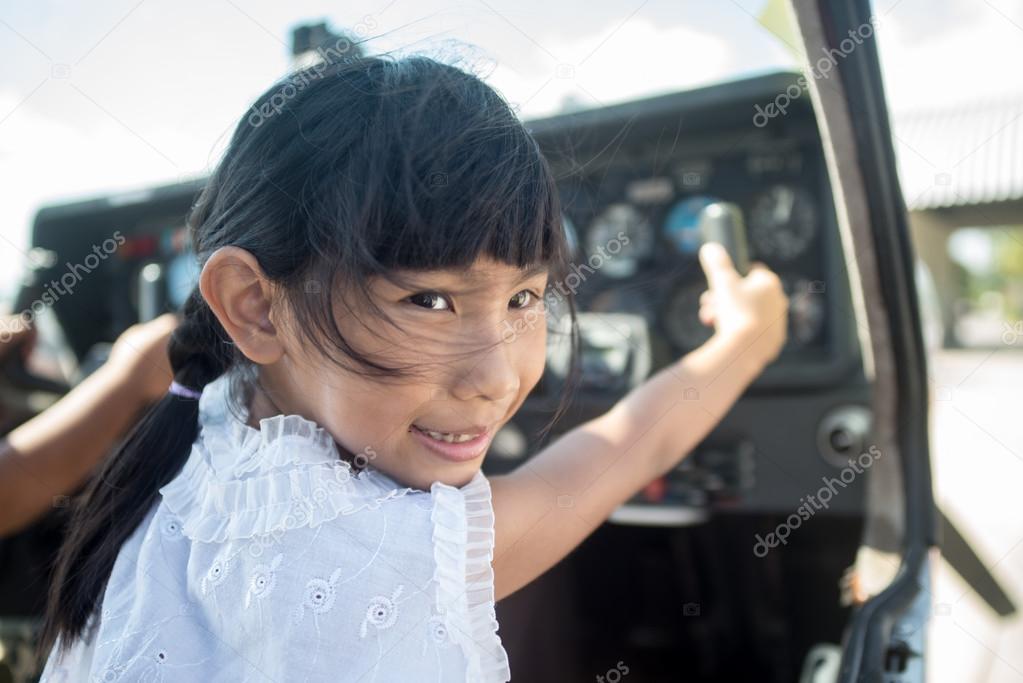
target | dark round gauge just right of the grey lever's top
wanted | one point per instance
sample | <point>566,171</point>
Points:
<point>783,220</point>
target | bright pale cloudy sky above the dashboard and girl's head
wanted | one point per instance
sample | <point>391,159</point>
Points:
<point>120,96</point>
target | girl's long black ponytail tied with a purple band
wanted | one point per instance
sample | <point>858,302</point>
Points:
<point>119,497</point>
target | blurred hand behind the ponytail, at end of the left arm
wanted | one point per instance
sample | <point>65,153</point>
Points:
<point>141,355</point>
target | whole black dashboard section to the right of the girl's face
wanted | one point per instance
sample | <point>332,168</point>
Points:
<point>634,179</point>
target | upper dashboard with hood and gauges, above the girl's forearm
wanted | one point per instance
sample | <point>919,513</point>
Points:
<point>634,180</point>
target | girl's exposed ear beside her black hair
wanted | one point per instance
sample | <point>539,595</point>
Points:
<point>240,295</point>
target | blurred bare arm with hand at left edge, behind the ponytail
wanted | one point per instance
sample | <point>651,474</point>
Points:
<point>55,452</point>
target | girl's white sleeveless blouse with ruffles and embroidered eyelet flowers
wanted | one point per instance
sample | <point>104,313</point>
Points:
<point>271,559</point>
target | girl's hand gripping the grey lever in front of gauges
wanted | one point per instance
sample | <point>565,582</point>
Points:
<point>754,307</point>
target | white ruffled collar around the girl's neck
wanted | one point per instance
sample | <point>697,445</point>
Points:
<point>241,482</point>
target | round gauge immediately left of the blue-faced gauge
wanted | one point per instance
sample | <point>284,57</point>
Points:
<point>622,237</point>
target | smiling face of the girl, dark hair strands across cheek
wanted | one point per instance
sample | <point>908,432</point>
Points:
<point>478,340</point>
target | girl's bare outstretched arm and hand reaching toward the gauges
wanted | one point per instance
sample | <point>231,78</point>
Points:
<point>548,507</point>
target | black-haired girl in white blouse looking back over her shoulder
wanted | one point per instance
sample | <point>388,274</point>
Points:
<point>307,503</point>
